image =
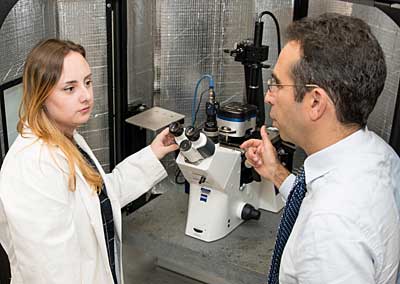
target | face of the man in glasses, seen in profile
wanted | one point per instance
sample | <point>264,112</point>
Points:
<point>286,113</point>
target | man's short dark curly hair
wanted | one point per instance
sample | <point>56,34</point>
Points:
<point>341,55</point>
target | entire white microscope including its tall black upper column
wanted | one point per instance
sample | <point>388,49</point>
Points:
<point>224,190</point>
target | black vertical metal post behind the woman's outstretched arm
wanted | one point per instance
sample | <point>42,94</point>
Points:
<point>125,139</point>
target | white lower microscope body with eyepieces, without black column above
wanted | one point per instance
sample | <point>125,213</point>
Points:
<point>224,191</point>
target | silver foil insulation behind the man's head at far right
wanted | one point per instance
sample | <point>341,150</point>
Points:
<point>388,35</point>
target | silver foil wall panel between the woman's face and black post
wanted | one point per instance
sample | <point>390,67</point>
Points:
<point>84,22</point>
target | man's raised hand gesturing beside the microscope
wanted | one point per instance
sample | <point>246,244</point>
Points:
<point>261,154</point>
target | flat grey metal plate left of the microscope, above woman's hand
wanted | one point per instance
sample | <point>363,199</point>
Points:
<point>155,118</point>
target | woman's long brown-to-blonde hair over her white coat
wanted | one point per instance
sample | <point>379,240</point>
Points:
<point>42,71</point>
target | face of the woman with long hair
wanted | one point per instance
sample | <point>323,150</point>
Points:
<point>71,101</point>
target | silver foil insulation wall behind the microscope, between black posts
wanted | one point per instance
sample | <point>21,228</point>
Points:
<point>188,39</point>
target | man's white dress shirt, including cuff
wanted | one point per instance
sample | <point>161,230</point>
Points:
<point>348,227</point>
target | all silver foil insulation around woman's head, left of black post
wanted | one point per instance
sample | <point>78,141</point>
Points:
<point>78,20</point>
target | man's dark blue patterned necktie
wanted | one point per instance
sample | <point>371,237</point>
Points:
<point>289,216</point>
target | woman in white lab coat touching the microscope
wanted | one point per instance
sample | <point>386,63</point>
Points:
<point>60,214</point>
